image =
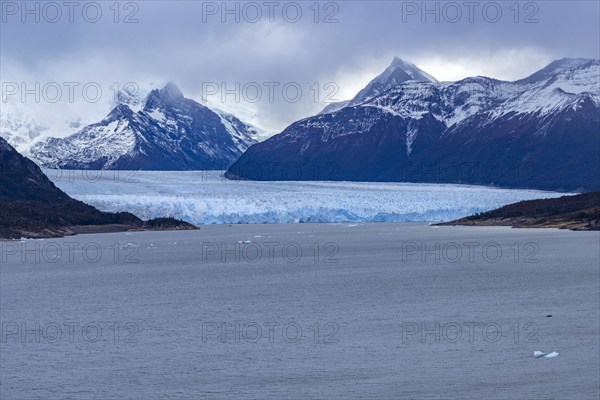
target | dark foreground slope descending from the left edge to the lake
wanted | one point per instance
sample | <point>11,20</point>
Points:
<point>32,206</point>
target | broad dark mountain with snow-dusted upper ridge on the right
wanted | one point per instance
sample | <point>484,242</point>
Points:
<point>541,132</point>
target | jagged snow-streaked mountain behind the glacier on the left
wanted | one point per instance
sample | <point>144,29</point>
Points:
<point>165,131</point>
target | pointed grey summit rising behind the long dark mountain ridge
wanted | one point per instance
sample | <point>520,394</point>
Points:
<point>398,72</point>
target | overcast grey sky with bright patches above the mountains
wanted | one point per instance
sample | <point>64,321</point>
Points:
<point>346,43</point>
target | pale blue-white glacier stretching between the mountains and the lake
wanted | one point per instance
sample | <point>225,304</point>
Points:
<point>206,197</point>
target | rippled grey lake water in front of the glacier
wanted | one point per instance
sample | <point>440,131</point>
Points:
<point>342,311</point>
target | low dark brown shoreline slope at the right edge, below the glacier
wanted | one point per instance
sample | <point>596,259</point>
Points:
<point>580,212</point>
